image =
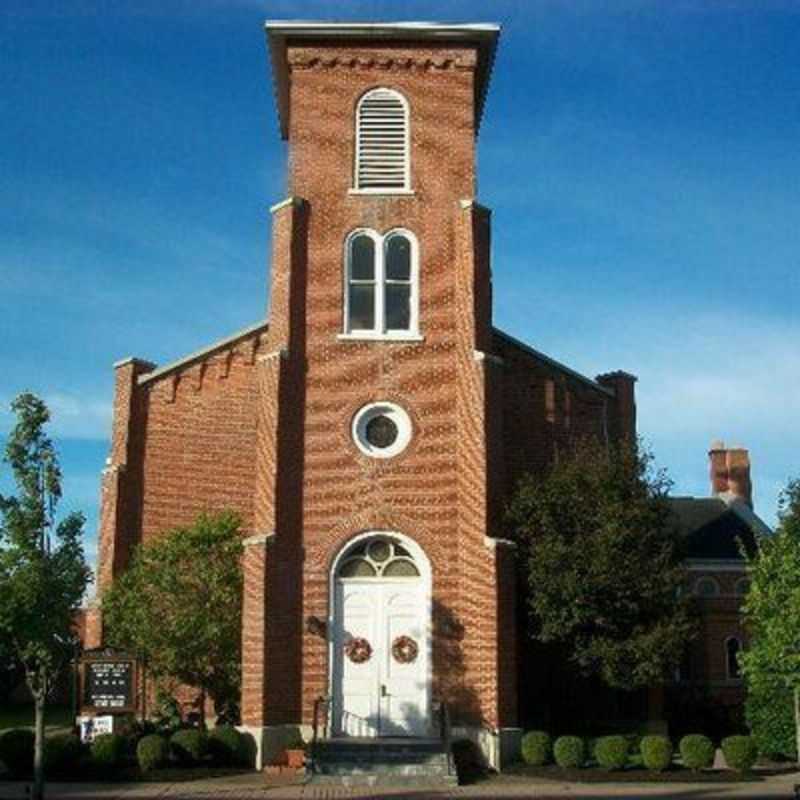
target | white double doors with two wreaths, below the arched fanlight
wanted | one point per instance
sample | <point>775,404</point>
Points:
<point>382,695</point>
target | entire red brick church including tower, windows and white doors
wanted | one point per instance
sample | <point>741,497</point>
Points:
<point>370,430</point>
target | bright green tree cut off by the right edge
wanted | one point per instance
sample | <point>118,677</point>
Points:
<point>772,608</point>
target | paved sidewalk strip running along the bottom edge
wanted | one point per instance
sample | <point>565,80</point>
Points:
<point>254,787</point>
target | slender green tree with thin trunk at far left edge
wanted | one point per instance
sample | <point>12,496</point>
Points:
<point>43,573</point>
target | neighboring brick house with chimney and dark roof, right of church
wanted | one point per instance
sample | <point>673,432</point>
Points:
<point>716,529</point>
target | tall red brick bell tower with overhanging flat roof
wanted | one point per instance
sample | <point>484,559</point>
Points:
<point>378,423</point>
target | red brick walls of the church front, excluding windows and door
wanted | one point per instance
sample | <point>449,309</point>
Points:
<point>263,425</point>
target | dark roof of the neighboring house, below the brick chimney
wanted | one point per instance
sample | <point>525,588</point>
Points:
<point>712,529</point>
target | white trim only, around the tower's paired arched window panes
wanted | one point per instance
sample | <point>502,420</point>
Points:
<point>379,333</point>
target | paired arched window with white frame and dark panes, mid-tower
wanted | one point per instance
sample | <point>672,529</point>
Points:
<point>385,315</point>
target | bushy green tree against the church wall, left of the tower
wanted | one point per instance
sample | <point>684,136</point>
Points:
<point>178,606</point>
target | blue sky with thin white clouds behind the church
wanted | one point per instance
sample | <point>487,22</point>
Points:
<point>641,159</point>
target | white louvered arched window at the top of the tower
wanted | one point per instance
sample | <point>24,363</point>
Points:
<point>382,143</point>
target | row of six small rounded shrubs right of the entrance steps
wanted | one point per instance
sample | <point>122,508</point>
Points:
<point>612,752</point>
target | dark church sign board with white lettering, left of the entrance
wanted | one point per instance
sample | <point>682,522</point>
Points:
<point>108,680</point>
